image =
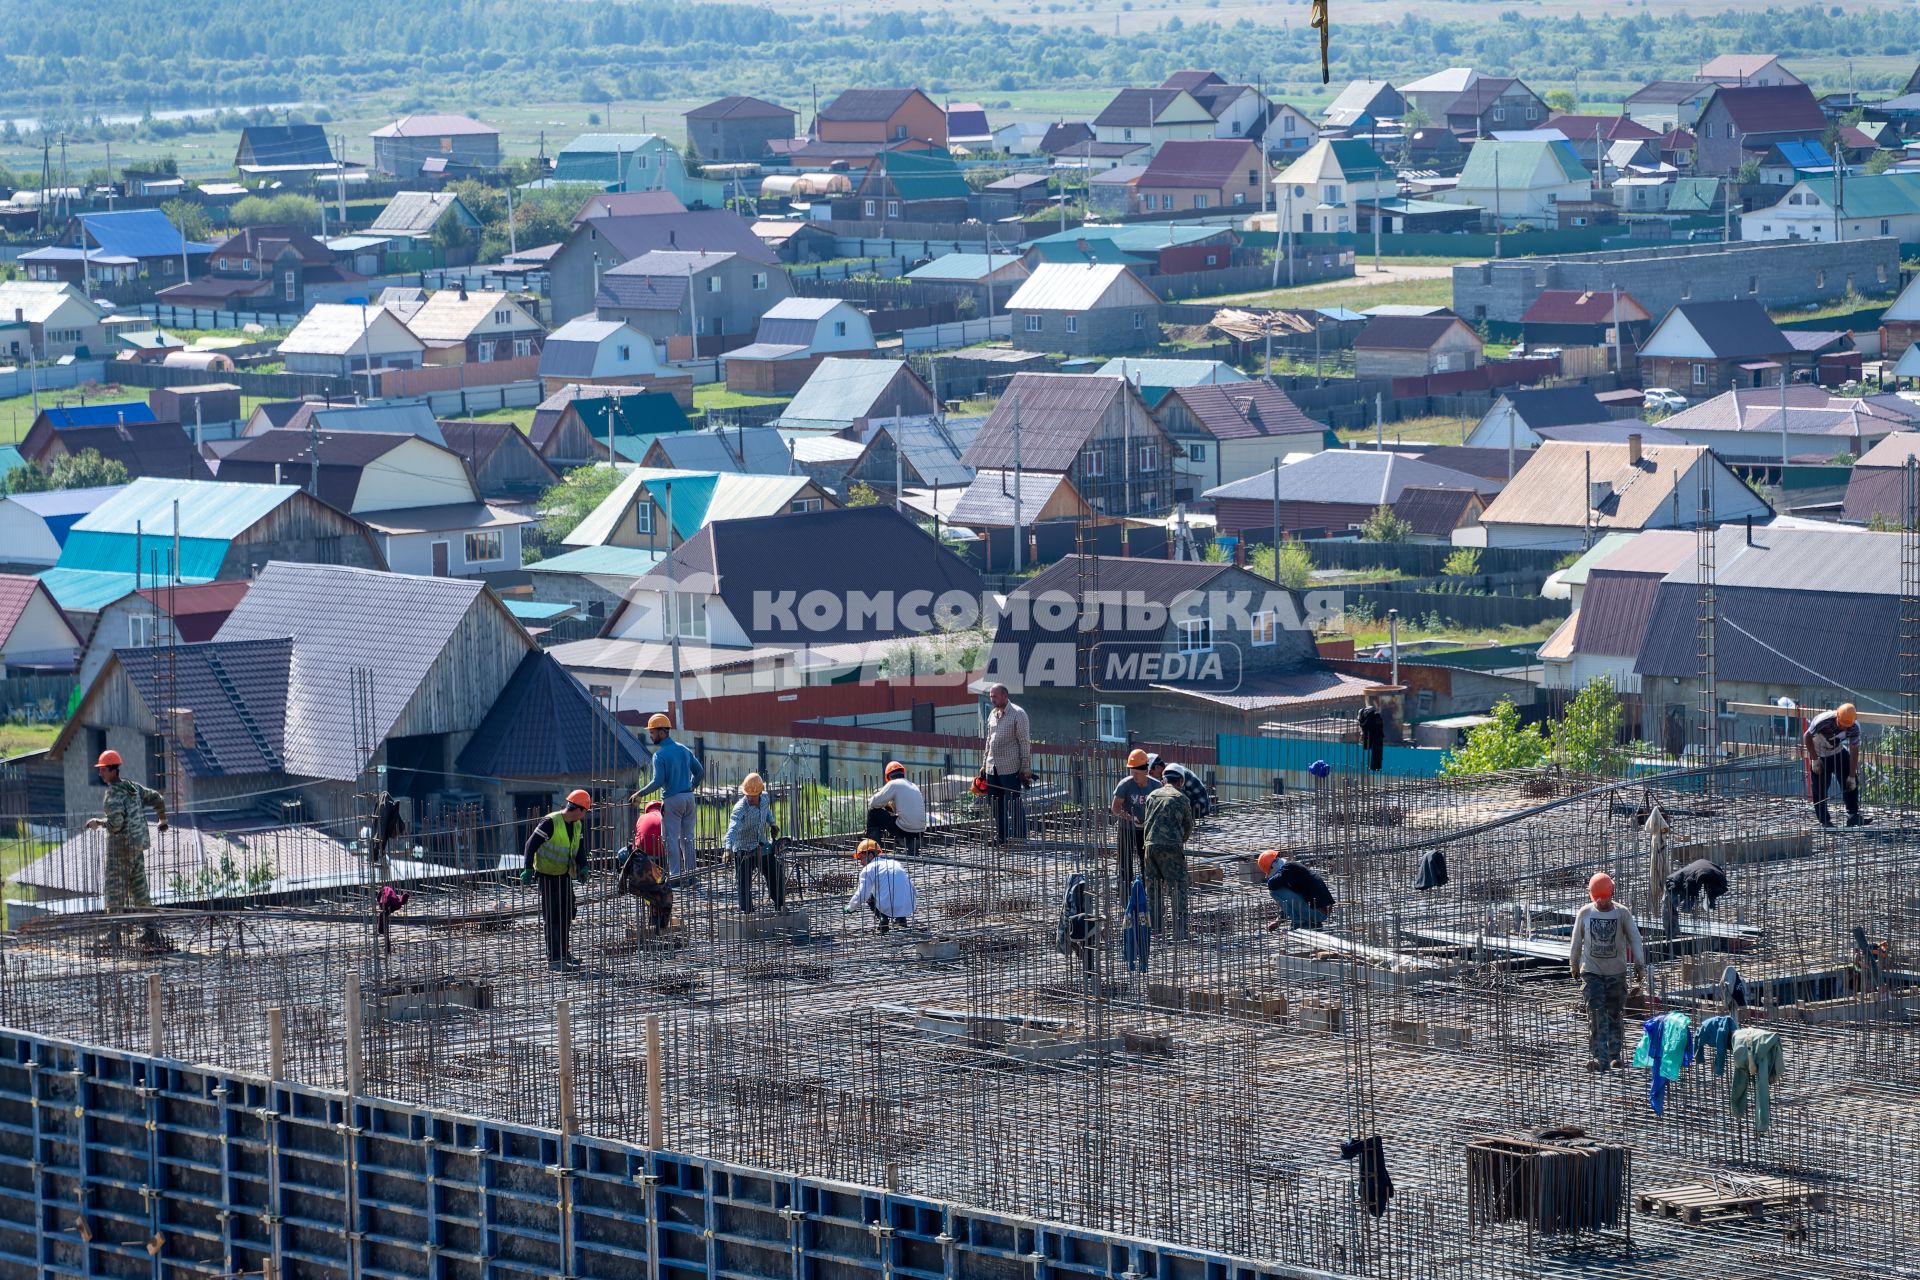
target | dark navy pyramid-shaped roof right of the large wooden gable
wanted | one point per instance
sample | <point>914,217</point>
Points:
<point>546,724</point>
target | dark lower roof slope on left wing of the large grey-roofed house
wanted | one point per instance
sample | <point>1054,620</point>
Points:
<point>237,692</point>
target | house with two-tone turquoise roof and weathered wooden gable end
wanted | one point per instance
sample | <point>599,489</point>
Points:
<point>224,533</point>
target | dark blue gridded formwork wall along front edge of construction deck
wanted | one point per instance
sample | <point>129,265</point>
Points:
<point>130,1166</point>
